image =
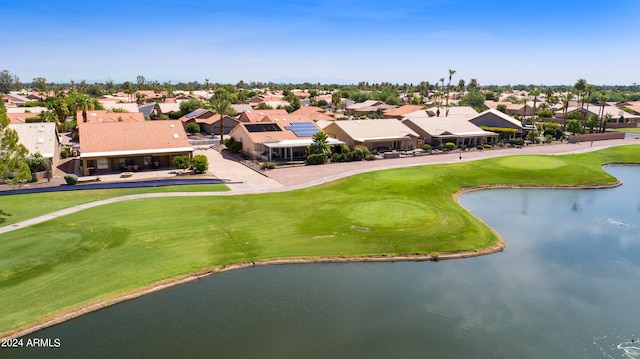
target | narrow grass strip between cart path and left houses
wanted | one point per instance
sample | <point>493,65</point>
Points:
<point>16,208</point>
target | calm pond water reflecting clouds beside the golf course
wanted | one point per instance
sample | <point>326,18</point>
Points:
<point>567,286</point>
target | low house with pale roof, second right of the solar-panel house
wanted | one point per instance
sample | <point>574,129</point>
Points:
<point>456,129</point>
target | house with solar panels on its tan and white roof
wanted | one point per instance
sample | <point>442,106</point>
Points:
<point>278,140</point>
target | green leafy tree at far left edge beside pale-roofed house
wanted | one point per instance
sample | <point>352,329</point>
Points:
<point>13,169</point>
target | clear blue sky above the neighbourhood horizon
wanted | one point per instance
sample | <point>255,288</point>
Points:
<point>496,42</point>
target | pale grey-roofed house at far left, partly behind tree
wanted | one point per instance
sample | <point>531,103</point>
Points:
<point>40,137</point>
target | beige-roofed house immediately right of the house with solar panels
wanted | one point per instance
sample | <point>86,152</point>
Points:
<point>377,135</point>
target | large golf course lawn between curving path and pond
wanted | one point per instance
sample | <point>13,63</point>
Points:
<point>101,252</point>
